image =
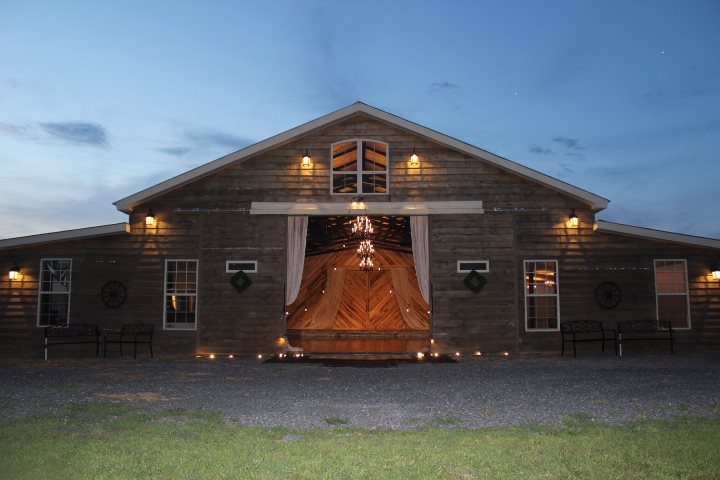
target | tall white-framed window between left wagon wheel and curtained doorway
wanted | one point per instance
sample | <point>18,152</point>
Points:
<point>180,294</point>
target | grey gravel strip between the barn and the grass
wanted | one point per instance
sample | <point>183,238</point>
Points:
<point>474,392</point>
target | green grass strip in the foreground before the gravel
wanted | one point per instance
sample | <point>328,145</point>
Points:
<point>113,441</point>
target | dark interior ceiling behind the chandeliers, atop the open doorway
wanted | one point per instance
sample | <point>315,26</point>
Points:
<point>333,234</point>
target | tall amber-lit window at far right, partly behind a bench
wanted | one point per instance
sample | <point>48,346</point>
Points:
<point>671,292</point>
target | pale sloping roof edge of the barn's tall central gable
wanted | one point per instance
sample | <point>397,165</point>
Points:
<point>126,204</point>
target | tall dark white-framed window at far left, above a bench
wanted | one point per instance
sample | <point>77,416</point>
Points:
<point>54,291</point>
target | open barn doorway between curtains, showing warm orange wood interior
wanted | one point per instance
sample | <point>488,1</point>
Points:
<point>342,308</point>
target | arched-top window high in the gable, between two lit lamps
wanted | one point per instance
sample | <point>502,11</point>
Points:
<point>366,175</point>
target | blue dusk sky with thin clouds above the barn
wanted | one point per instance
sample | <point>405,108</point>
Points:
<point>99,100</point>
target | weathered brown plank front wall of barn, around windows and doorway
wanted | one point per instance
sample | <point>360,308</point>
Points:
<point>492,320</point>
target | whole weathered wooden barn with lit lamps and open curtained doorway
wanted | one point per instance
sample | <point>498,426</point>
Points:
<point>359,231</point>
